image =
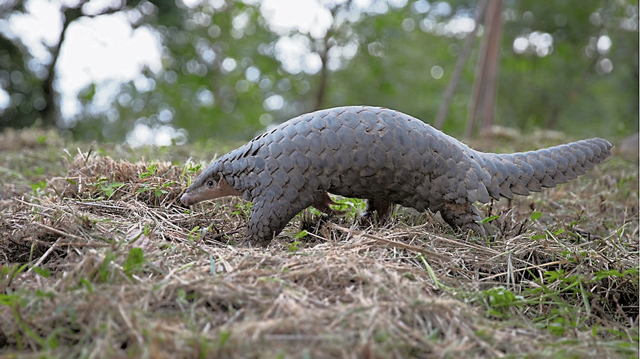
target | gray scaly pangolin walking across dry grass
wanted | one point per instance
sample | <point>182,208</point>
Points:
<point>384,156</point>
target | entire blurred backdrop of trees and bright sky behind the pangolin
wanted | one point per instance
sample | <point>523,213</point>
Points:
<point>177,71</point>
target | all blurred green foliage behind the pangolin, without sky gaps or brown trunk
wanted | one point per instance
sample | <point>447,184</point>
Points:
<point>565,67</point>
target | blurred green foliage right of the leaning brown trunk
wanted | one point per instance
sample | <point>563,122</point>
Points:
<point>571,68</point>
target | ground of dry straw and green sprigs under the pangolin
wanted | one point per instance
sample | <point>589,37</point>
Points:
<point>97,260</point>
